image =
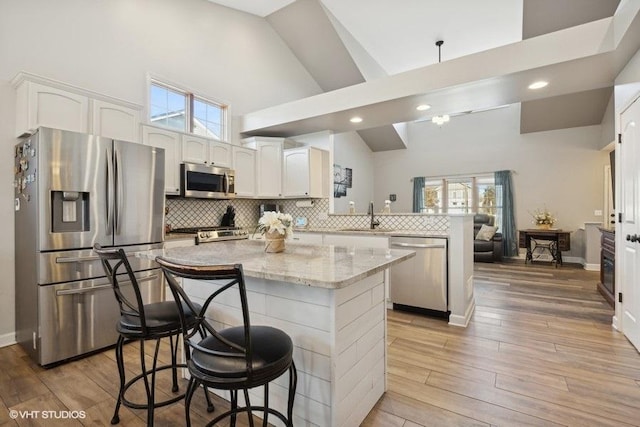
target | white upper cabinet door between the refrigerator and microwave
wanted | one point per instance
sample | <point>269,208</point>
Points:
<point>170,141</point>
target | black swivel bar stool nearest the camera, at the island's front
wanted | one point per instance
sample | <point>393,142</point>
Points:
<point>235,358</point>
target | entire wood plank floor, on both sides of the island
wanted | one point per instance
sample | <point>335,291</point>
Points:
<point>540,350</point>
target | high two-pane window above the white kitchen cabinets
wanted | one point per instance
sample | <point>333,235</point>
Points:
<point>183,111</point>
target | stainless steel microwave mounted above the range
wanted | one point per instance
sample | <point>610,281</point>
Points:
<point>206,182</point>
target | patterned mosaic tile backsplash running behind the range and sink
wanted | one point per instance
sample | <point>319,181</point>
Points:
<point>200,212</point>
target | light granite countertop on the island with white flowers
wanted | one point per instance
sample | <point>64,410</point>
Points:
<point>329,267</point>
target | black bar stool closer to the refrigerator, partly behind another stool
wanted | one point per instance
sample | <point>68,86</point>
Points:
<point>142,322</point>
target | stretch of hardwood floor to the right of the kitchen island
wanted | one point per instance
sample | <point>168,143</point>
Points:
<point>539,351</point>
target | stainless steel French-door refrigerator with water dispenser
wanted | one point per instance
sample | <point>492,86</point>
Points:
<point>74,190</point>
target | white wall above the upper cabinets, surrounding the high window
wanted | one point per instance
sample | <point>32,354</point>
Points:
<point>110,46</point>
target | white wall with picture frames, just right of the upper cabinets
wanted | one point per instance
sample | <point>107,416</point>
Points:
<point>350,151</point>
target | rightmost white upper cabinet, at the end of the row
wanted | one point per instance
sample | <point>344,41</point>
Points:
<point>305,172</point>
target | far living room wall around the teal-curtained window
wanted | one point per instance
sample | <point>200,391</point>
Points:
<point>562,169</point>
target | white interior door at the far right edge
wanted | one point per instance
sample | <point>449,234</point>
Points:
<point>630,226</point>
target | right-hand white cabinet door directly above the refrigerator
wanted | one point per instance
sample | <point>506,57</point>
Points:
<point>115,121</point>
